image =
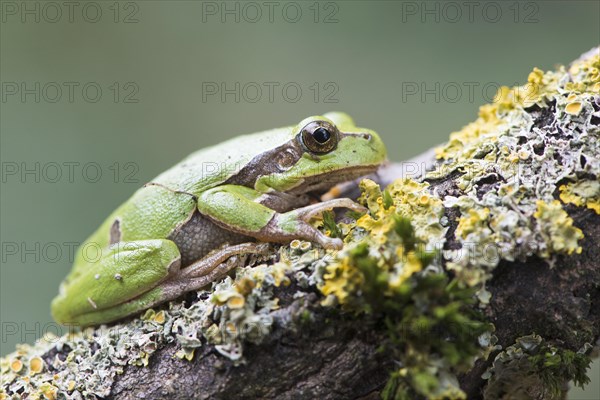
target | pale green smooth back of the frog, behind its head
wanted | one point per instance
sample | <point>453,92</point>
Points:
<point>156,210</point>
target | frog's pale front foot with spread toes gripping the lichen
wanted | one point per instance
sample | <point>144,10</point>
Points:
<point>298,221</point>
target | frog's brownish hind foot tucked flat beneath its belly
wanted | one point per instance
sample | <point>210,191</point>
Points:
<point>211,267</point>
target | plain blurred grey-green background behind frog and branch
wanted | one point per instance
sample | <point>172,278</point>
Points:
<point>99,97</point>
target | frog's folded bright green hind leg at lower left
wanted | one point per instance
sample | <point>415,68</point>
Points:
<point>107,289</point>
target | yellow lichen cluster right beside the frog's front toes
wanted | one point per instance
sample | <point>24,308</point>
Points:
<point>402,200</point>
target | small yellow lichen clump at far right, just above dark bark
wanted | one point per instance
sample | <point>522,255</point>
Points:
<point>557,227</point>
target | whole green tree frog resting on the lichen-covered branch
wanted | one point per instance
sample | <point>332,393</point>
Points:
<point>186,228</point>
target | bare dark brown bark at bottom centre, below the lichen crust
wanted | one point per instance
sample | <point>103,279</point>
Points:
<point>331,359</point>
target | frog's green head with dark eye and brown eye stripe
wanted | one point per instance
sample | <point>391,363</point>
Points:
<point>322,151</point>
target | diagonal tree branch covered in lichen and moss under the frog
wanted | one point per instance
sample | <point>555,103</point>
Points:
<point>476,279</point>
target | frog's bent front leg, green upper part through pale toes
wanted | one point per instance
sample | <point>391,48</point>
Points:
<point>240,209</point>
